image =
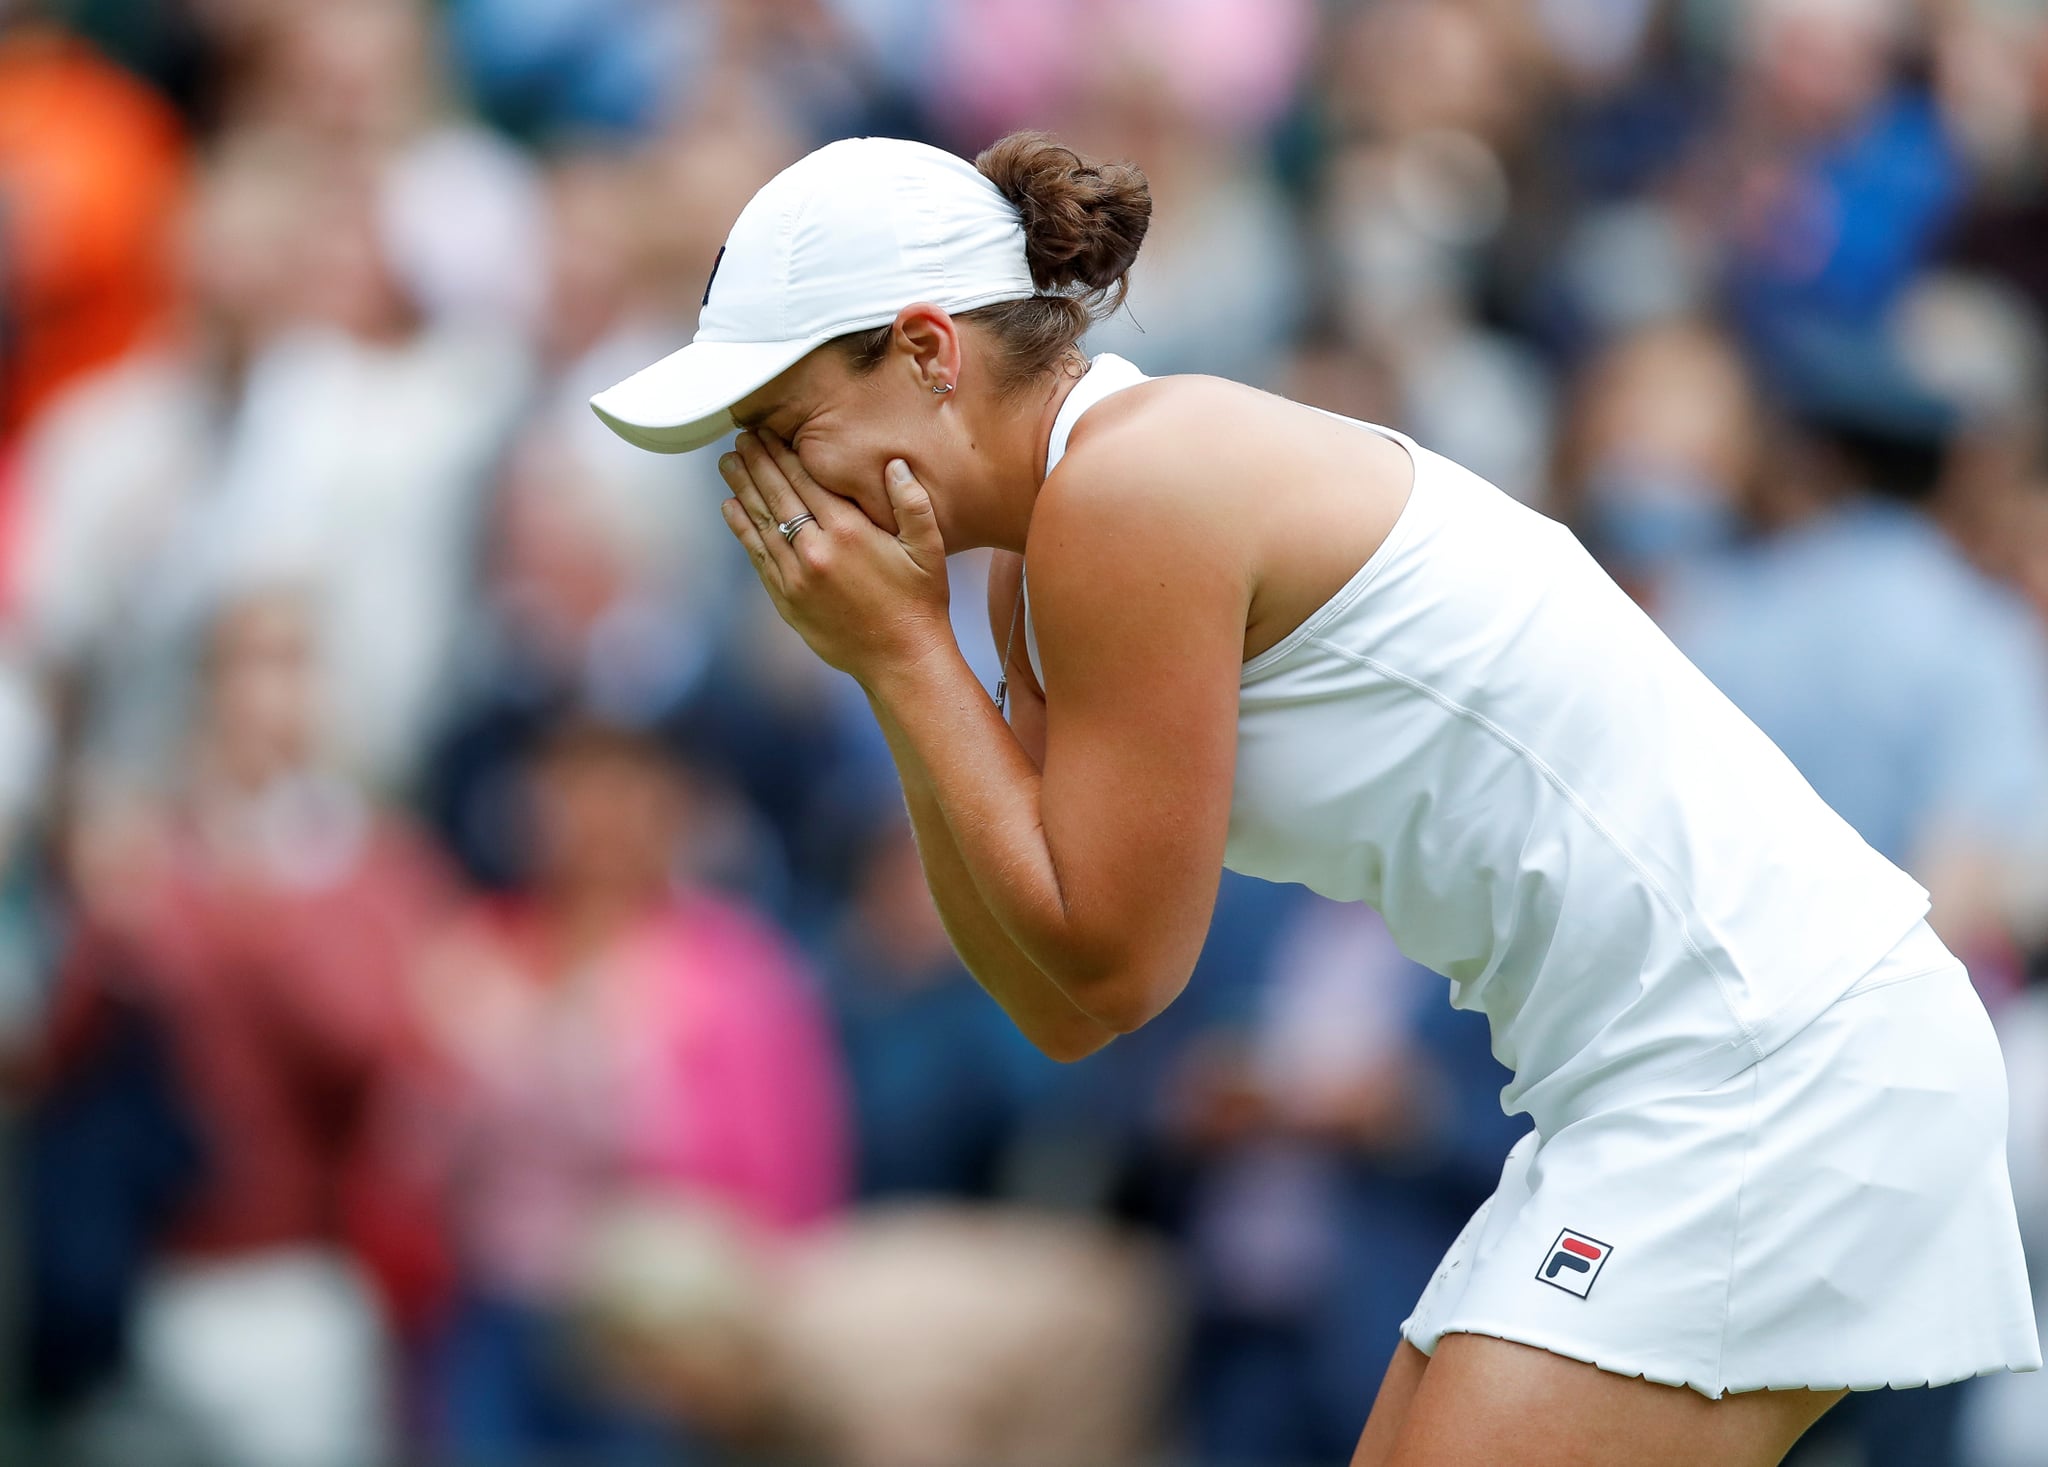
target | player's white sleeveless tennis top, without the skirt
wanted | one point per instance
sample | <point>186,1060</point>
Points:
<point>1490,743</point>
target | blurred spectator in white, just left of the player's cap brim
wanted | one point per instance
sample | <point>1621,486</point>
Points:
<point>374,521</point>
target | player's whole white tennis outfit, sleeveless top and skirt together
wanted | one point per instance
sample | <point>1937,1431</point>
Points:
<point>1768,1107</point>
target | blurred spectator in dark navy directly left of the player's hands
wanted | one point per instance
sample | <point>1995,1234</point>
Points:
<point>583,610</point>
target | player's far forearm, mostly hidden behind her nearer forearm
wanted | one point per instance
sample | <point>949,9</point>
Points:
<point>1035,1005</point>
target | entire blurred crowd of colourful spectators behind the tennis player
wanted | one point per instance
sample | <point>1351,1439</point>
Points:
<point>468,993</point>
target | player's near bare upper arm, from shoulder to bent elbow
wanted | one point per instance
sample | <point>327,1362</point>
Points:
<point>1140,599</point>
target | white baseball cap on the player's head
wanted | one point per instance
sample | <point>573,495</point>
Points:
<point>837,243</point>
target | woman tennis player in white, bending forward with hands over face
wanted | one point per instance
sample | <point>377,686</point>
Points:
<point>1768,1152</point>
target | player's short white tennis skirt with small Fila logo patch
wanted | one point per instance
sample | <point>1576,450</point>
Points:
<point>1836,1216</point>
